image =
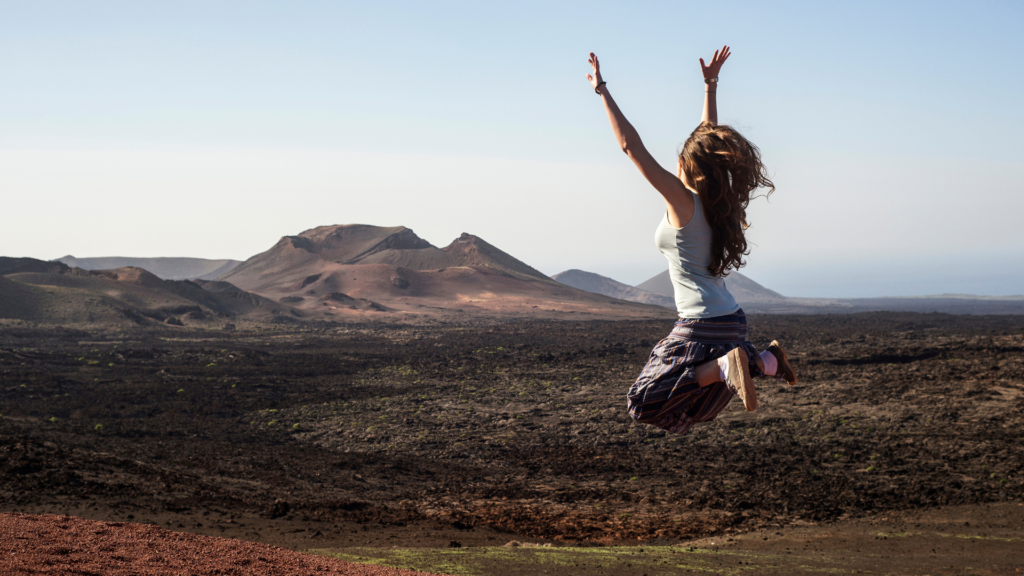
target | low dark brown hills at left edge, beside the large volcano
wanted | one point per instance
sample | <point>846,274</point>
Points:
<point>54,293</point>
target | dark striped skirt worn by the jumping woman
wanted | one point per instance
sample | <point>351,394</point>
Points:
<point>667,394</point>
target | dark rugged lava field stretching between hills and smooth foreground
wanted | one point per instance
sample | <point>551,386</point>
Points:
<point>475,435</point>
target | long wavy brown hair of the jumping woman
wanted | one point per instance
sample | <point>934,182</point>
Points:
<point>726,169</point>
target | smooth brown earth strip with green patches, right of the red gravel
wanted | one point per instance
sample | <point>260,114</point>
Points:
<point>976,540</point>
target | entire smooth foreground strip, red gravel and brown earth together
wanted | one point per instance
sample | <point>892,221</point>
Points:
<point>979,540</point>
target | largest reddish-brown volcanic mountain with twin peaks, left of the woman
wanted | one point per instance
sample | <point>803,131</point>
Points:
<point>340,271</point>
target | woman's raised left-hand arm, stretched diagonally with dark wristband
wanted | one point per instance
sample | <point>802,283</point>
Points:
<point>665,182</point>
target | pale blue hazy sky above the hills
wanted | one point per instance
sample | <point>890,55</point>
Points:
<point>210,130</point>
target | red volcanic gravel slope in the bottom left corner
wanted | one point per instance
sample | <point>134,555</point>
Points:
<point>62,545</point>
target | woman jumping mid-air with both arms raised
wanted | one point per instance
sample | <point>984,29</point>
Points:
<point>695,373</point>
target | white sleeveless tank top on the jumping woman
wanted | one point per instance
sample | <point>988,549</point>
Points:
<point>699,295</point>
